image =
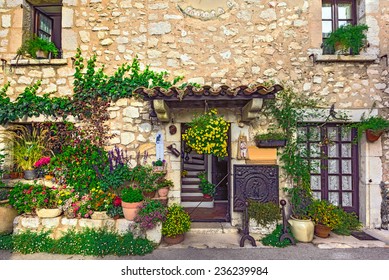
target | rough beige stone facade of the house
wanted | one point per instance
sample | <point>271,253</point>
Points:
<point>253,42</point>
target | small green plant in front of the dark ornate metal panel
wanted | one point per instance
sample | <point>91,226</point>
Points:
<point>264,214</point>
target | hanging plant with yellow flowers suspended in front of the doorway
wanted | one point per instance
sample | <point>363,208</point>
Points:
<point>208,134</point>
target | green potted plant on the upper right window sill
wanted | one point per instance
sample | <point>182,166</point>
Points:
<point>347,39</point>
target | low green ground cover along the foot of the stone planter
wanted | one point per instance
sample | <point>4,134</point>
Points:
<point>89,242</point>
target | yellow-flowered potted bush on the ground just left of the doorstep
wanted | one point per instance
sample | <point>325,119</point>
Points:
<point>175,226</point>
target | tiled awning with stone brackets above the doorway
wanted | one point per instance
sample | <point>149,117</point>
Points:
<point>248,98</point>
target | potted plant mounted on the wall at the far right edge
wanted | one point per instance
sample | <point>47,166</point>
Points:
<point>373,126</point>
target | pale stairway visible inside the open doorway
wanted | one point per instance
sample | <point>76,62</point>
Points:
<point>191,195</point>
